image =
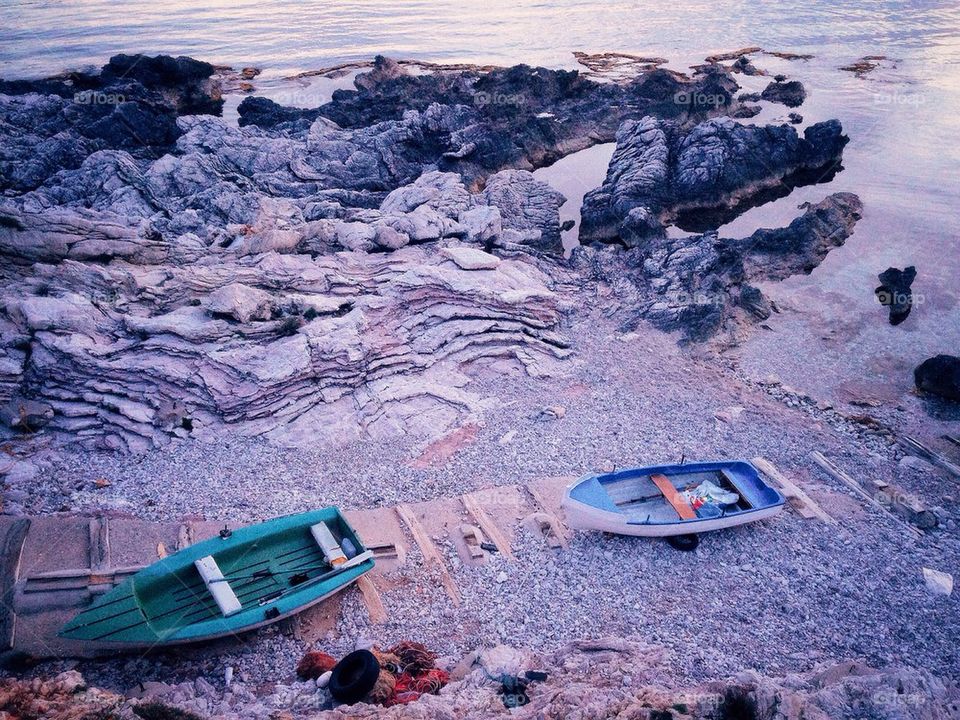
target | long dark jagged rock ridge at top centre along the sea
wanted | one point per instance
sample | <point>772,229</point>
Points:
<point>519,117</point>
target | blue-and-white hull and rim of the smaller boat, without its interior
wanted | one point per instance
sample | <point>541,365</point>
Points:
<point>589,505</point>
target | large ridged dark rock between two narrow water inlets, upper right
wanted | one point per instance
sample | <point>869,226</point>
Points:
<point>663,170</point>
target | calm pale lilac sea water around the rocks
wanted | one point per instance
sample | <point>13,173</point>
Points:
<point>903,120</point>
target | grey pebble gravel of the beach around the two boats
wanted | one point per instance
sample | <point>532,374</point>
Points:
<point>776,596</point>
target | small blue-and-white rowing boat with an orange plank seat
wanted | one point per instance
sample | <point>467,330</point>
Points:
<point>650,501</point>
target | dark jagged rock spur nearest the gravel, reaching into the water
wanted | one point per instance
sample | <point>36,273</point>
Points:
<point>698,284</point>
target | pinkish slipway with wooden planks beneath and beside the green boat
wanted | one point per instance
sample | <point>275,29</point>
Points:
<point>54,566</point>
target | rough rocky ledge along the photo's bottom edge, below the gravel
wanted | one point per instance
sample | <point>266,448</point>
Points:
<point>607,677</point>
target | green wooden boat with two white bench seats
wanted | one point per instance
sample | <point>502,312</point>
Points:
<point>229,584</point>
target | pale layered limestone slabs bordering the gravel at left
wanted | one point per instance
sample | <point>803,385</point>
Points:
<point>334,347</point>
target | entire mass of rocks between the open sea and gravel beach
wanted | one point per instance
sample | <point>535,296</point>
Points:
<point>337,267</point>
